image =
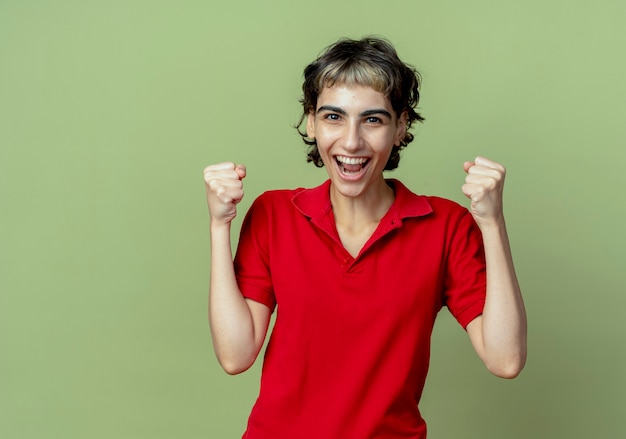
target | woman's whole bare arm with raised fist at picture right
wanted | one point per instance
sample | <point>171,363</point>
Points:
<point>499,335</point>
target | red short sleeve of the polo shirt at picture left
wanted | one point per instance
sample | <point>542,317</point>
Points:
<point>252,265</point>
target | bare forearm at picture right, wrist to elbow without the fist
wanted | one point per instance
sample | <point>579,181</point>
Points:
<point>503,323</point>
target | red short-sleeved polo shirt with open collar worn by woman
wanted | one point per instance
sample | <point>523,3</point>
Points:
<point>349,352</point>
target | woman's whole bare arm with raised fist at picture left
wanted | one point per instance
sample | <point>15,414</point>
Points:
<point>238,326</point>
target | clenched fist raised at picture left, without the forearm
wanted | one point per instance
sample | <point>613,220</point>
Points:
<point>224,190</point>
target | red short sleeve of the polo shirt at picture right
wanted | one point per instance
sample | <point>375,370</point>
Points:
<point>465,281</point>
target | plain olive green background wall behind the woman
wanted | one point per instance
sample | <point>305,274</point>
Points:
<point>109,110</point>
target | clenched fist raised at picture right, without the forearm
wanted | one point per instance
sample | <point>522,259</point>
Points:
<point>484,185</point>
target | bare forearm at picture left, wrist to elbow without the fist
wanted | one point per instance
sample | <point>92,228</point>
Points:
<point>231,322</point>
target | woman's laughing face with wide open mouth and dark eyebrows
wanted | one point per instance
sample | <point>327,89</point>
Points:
<point>355,128</point>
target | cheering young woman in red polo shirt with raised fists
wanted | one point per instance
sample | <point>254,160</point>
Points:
<point>358,267</point>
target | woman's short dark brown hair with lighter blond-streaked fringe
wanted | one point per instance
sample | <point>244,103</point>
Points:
<point>373,62</point>
